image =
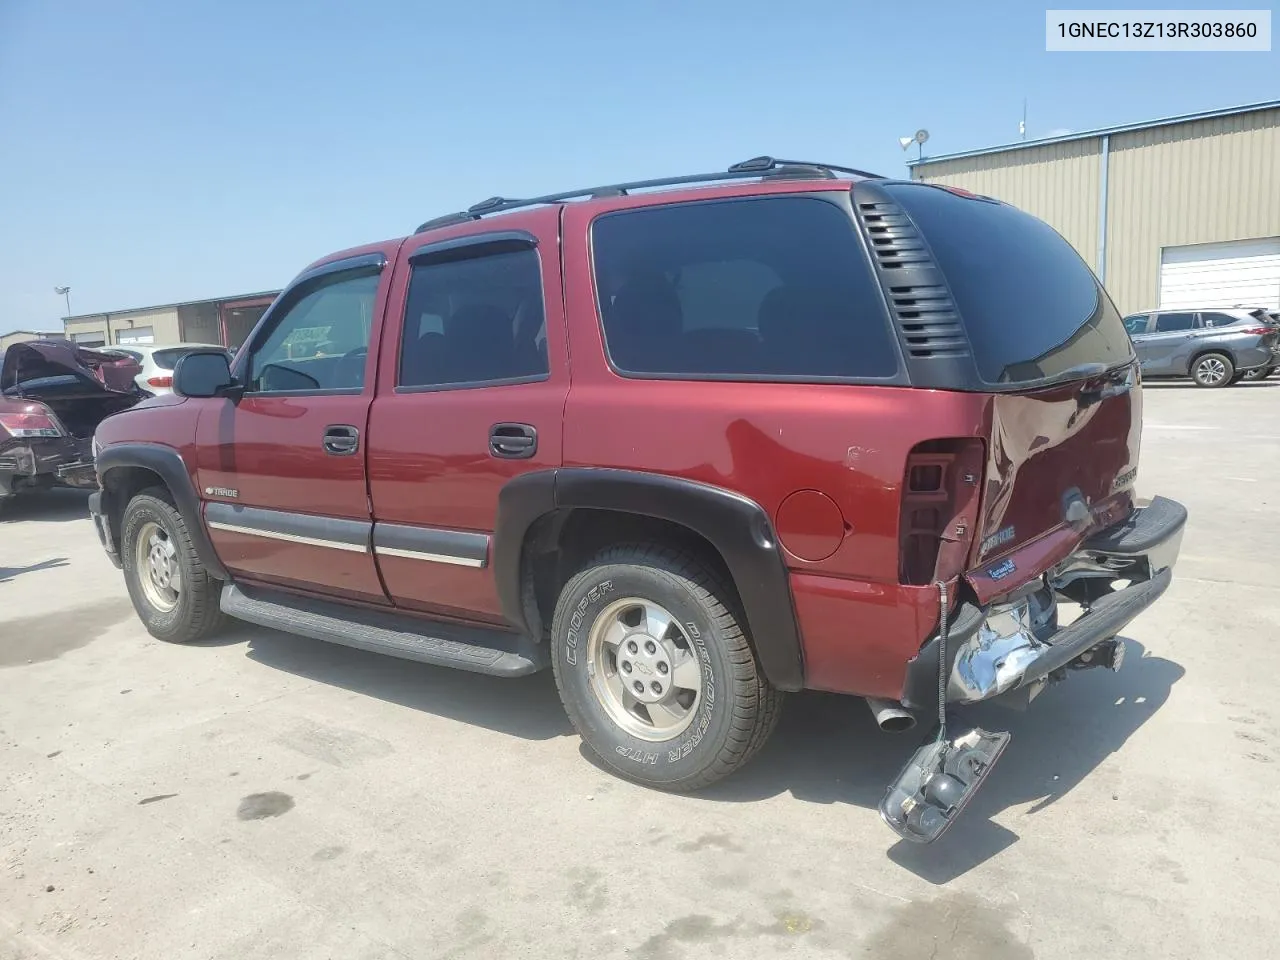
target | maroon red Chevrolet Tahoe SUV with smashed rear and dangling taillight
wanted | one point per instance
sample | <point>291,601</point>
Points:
<point>693,444</point>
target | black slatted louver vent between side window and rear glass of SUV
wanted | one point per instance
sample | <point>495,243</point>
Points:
<point>925,313</point>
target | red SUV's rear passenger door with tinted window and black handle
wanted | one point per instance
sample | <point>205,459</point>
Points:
<point>473,381</point>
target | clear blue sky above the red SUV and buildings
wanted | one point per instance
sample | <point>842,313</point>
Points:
<point>156,152</point>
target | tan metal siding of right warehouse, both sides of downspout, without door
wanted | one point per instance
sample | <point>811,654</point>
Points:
<point>1199,182</point>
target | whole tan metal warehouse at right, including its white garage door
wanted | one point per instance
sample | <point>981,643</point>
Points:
<point>1176,213</point>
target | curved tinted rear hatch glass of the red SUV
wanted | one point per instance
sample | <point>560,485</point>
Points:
<point>1031,307</point>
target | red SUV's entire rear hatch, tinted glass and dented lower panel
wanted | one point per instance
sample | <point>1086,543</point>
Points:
<point>1041,340</point>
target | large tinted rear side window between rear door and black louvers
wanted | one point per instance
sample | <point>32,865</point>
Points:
<point>756,289</point>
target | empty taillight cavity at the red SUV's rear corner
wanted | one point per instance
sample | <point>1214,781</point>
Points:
<point>940,509</point>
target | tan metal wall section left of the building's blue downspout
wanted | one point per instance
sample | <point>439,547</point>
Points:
<point>1059,184</point>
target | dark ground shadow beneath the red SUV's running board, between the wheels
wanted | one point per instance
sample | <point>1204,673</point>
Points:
<point>527,707</point>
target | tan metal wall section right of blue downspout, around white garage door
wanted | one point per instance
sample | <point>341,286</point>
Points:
<point>1201,182</point>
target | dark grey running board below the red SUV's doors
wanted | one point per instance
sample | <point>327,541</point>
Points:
<point>493,652</point>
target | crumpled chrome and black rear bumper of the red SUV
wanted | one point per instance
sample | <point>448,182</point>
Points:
<point>1018,644</point>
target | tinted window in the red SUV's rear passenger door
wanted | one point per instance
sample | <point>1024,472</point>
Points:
<point>476,322</point>
